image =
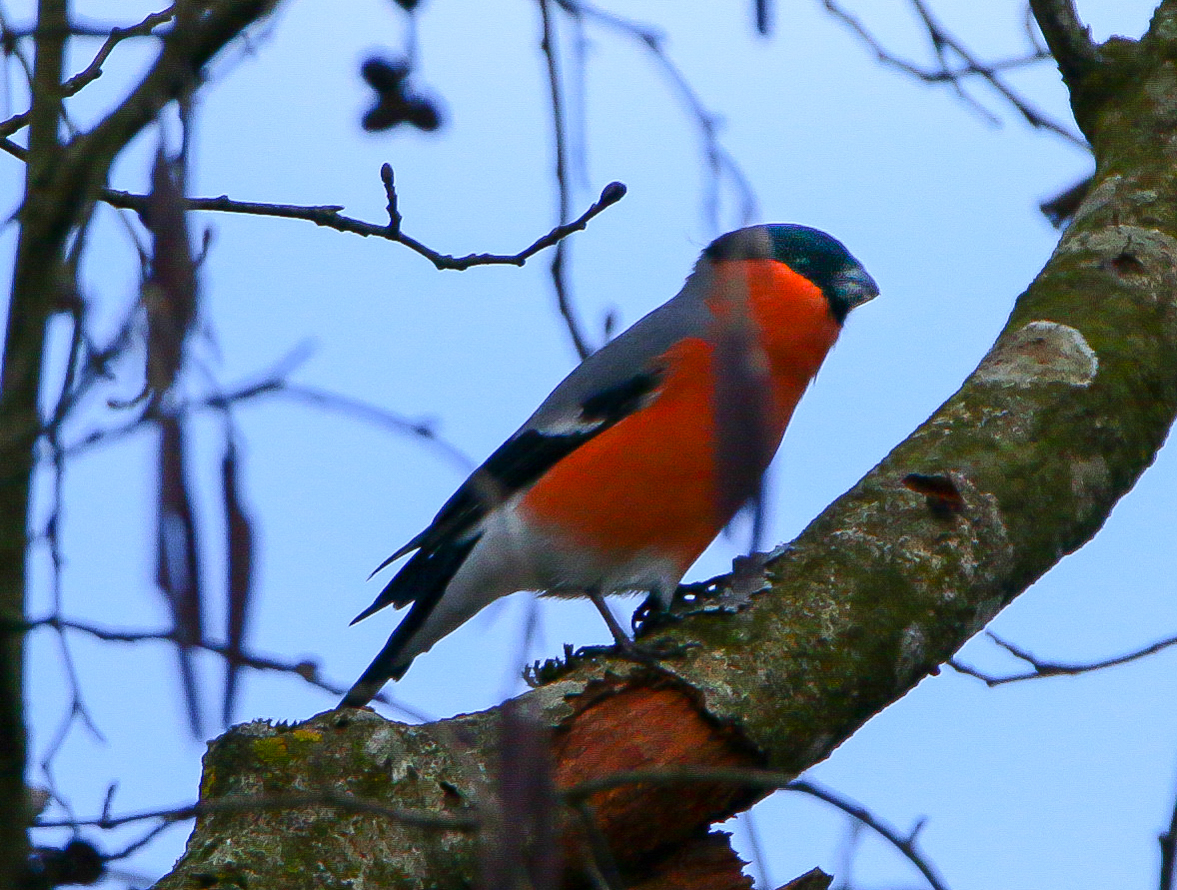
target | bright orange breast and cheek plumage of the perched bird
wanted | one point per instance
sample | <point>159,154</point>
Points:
<point>648,484</point>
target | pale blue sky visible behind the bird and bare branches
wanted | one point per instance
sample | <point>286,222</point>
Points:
<point>1066,782</point>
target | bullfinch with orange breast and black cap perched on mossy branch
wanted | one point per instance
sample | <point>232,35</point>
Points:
<point>642,456</point>
